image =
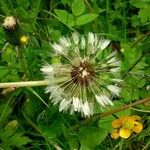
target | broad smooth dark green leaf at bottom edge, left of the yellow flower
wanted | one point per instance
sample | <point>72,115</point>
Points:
<point>90,137</point>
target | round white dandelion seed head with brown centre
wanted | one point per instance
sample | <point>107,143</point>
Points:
<point>87,75</point>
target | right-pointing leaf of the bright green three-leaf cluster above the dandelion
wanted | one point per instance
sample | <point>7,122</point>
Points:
<point>86,18</point>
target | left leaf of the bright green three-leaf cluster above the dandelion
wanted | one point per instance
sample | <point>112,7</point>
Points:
<point>65,17</point>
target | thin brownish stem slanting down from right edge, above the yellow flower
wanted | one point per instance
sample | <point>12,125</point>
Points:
<point>104,114</point>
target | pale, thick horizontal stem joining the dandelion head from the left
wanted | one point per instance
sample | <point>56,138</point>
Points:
<point>24,84</point>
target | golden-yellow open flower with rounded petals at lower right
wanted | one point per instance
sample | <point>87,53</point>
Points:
<point>125,126</point>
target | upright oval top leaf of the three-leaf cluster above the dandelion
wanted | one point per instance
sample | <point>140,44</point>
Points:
<point>78,7</point>
